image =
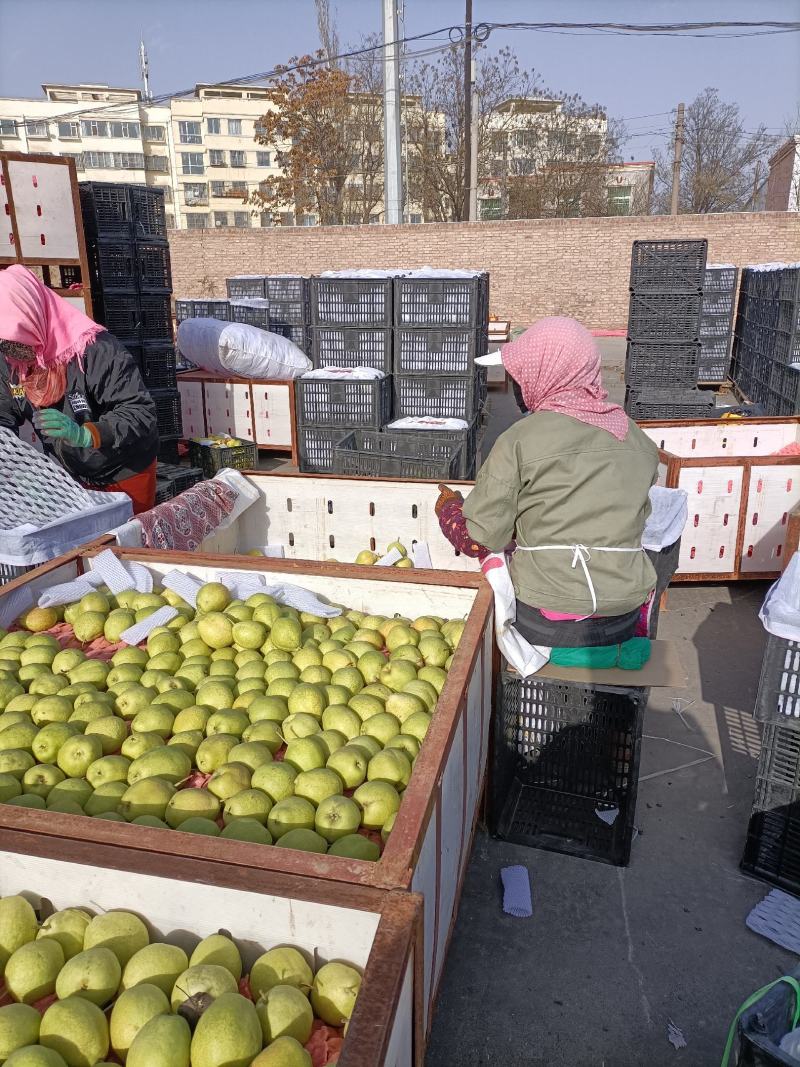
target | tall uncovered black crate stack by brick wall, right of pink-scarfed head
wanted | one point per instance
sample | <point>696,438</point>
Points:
<point>664,349</point>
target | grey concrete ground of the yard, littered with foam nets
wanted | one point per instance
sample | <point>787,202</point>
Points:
<point>613,954</point>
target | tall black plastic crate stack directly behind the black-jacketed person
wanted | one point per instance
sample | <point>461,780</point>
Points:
<point>132,289</point>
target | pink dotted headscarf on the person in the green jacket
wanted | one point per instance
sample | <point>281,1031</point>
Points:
<point>557,365</point>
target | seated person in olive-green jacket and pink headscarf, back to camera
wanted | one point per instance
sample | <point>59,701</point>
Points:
<point>566,490</point>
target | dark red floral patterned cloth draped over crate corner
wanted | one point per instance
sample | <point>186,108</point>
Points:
<point>184,523</point>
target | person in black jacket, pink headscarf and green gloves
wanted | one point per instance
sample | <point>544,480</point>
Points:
<point>81,389</point>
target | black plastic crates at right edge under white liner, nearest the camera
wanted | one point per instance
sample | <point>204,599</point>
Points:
<point>773,849</point>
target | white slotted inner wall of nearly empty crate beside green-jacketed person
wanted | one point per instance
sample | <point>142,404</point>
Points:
<point>326,517</point>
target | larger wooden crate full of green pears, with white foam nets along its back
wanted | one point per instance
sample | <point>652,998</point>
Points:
<point>348,749</point>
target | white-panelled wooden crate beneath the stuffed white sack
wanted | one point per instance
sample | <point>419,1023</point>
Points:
<point>257,410</point>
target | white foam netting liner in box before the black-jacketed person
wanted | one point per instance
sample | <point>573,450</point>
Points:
<point>44,512</point>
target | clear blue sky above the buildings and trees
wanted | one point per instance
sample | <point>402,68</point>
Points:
<point>191,41</point>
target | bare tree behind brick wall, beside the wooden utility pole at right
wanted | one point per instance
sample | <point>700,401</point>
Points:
<point>722,162</point>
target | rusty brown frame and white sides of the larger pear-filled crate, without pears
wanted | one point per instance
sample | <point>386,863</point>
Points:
<point>429,848</point>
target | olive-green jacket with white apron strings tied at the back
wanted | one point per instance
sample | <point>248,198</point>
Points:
<point>551,480</point>
